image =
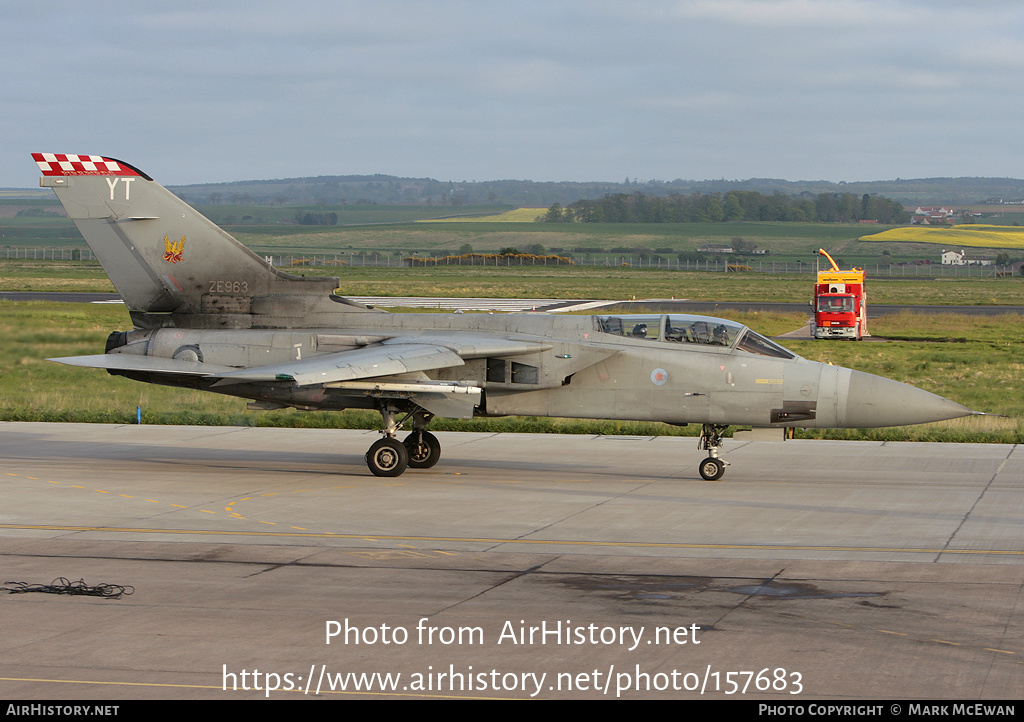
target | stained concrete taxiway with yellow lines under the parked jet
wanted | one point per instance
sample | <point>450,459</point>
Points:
<point>545,567</point>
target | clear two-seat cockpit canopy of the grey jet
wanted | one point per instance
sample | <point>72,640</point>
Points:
<point>679,328</point>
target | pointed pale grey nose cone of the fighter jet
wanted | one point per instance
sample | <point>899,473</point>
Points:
<point>874,401</point>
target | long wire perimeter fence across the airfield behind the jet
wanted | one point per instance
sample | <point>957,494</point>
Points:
<point>358,260</point>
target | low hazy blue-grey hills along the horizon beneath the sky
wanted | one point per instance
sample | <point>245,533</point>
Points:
<point>331,190</point>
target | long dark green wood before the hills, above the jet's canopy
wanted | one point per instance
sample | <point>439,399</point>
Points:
<point>735,205</point>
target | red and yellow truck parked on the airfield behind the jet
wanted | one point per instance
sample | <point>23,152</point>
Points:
<point>840,304</point>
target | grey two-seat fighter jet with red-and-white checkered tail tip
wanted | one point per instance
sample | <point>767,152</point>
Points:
<point>209,314</point>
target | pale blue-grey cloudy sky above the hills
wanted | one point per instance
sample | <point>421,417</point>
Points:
<point>201,92</point>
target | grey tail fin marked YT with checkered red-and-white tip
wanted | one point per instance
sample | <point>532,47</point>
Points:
<point>173,266</point>
